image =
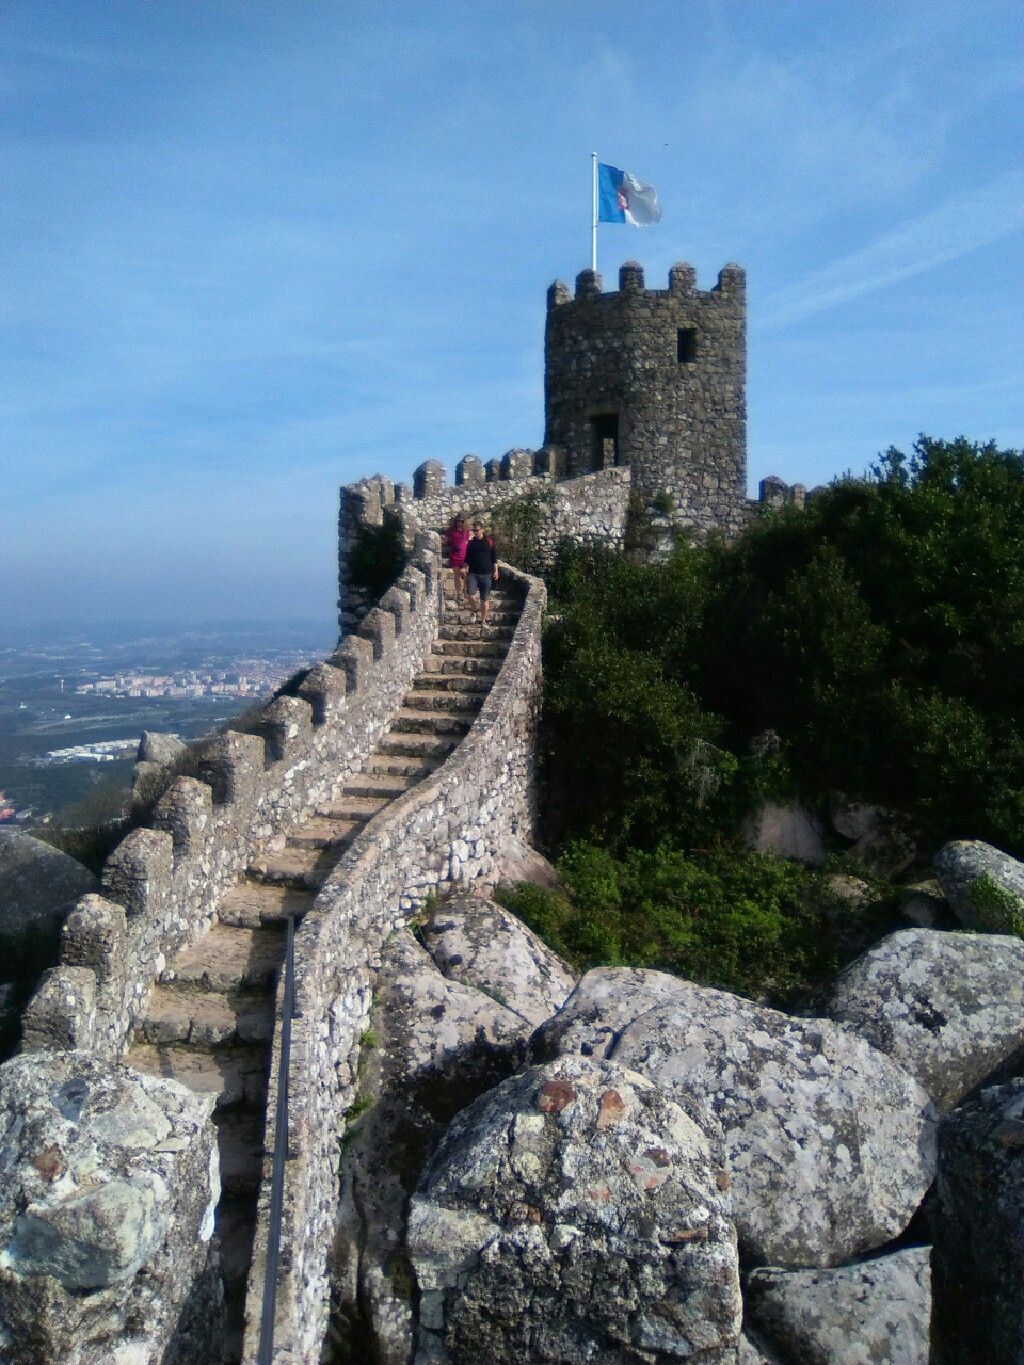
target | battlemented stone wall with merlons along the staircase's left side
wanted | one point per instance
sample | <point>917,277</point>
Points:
<point>163,884</point>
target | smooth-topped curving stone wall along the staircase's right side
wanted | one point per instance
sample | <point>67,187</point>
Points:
<point>447,829</point>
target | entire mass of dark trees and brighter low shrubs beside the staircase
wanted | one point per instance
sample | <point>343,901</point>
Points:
<point>872,644</point>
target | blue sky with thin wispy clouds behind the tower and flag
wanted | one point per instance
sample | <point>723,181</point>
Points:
<point>251,252</point>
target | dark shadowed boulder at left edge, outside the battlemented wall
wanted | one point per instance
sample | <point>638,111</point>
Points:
<point>39,885</point>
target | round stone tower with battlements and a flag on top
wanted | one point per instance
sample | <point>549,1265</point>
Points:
<point>657,380</point>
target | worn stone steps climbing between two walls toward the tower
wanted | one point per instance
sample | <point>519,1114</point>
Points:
<point>211,1018</point>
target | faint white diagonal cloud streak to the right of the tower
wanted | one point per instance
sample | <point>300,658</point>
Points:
<point>947,234</point>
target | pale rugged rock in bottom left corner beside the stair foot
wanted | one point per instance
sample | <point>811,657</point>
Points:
<point>110,1187</point>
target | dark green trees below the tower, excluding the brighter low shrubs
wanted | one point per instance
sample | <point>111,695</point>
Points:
<point>872,644</point>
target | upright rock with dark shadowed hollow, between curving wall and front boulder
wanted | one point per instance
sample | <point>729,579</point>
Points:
<point>432,1048</point>
